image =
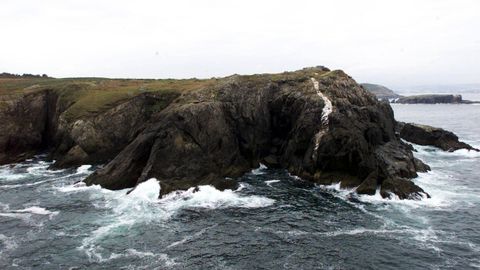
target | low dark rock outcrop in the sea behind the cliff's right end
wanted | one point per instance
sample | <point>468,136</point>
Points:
<point>428,135</point>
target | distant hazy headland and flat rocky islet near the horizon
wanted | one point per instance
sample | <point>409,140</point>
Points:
<point>384,93</point>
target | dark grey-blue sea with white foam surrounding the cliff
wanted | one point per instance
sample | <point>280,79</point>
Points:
<point>274,221</point>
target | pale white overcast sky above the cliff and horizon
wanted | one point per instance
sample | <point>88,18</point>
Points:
<point>395,43</point>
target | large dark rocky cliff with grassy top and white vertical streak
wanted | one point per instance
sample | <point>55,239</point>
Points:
<point>316,123</point>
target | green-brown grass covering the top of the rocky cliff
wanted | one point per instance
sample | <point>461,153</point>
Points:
<point>88,96</point>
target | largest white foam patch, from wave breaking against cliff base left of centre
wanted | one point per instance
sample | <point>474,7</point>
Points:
<point>142,206</point>
